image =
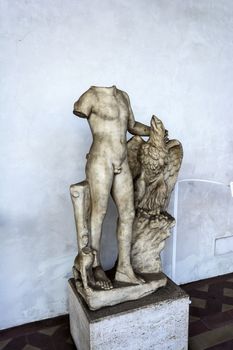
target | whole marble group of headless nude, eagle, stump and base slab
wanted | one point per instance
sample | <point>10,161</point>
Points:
<point>140,176</point>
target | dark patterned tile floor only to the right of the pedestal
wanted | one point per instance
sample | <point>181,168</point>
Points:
<point>211,313</point>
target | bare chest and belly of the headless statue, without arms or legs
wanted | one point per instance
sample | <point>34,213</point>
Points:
<point>108,122</point>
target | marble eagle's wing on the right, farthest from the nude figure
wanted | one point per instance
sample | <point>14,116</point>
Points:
<point>175,156</point>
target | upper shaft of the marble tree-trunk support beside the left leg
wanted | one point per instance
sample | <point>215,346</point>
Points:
<point>80,195</point>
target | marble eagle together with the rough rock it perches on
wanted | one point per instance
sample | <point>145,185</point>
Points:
<point>154,164</point>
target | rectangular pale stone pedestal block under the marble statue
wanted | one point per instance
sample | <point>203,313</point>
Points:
<point>157,322</point>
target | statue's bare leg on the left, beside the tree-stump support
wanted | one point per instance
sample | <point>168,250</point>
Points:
<point>99,176</point>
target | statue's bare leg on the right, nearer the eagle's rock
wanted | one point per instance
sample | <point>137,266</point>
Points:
<point>123,195</point>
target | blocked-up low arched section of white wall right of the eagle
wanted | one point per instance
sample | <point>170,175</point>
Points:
<point>201,244</point>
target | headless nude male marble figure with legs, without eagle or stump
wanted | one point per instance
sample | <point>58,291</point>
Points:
<point>110,115</point>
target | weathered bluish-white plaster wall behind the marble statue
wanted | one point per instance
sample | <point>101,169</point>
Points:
<point>174,58</point>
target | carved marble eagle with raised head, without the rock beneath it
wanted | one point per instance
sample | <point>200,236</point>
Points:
<point>154,165</point>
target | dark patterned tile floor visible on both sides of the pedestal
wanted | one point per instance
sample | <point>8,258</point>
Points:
<point>211,322</point>
